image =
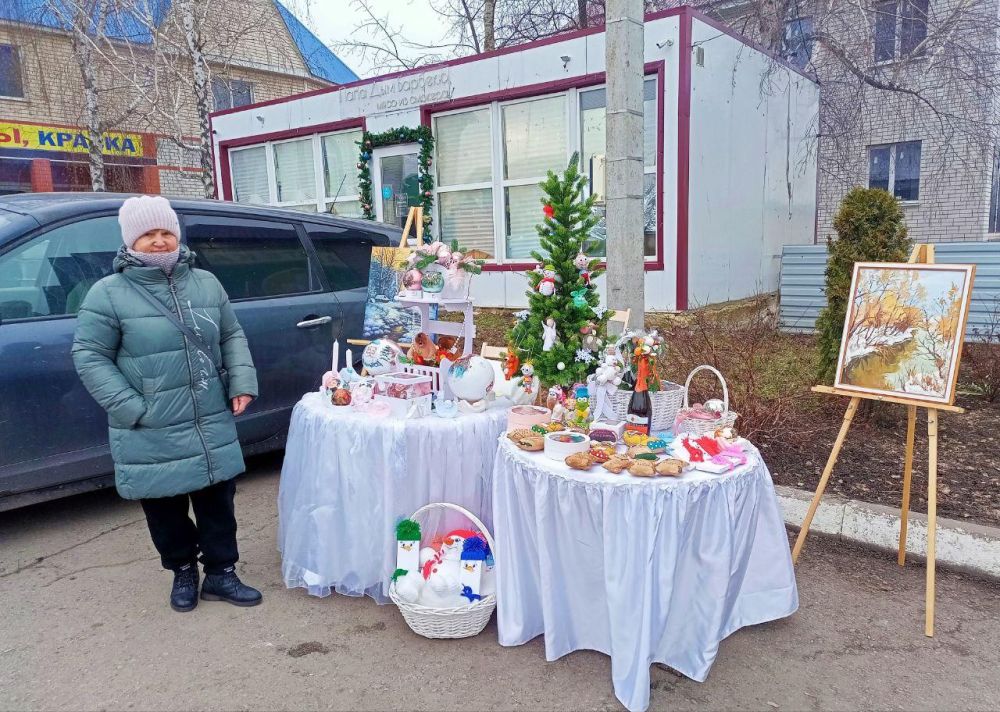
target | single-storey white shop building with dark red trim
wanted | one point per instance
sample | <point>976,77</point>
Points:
<point>729,144</point>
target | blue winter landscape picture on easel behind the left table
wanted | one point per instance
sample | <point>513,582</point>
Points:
<point>384,316</point>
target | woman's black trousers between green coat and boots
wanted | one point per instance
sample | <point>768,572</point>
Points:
<point>179,540</point>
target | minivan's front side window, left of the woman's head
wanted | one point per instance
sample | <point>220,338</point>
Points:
<point>51,274</point>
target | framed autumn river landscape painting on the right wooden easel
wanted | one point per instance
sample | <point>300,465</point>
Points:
<point>904,330</point>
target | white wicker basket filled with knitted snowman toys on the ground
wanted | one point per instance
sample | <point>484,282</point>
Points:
<point>449,592</point>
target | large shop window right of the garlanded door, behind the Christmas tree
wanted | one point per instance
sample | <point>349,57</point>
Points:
<point>490,160</point>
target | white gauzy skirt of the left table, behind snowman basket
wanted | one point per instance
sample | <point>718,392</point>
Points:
<point>348,478</point>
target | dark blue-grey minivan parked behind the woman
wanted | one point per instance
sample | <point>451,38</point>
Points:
<point>297,282</point>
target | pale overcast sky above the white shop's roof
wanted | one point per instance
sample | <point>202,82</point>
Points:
<point>335,20</point>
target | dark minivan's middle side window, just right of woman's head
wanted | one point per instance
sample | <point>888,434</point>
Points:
<point>252,258</point>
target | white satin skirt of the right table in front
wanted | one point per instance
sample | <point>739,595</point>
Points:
<point>644,570</point>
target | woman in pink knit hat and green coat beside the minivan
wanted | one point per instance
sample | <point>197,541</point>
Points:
<point>158,346</point>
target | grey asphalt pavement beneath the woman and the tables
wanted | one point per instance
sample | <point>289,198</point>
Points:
<point>84,625</point>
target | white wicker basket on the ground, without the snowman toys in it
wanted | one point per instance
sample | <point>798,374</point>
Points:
<point>458,622</point>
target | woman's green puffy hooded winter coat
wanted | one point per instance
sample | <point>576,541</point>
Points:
<point>171,428</point>
